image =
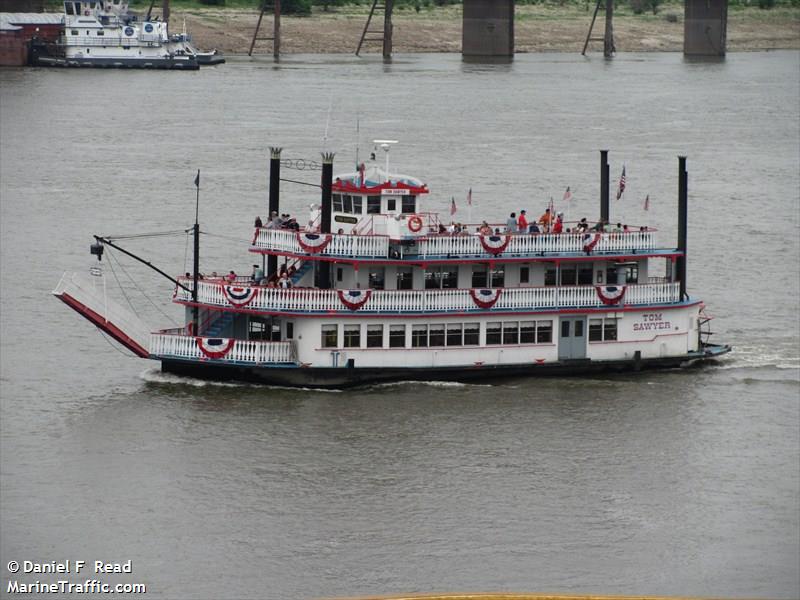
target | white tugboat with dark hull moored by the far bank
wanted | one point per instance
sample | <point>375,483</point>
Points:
<point>105,34</point>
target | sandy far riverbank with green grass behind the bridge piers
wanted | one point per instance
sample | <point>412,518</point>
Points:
<point>538,28</point>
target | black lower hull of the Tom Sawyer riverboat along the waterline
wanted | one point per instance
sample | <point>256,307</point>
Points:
<point>342,377</point>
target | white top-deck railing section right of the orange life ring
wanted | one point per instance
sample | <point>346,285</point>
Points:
<point>535,243</point>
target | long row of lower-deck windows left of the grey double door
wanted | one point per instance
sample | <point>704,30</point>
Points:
<point>440,334</point>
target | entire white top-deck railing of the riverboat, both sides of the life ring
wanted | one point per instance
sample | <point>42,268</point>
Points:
<point>453,246</point>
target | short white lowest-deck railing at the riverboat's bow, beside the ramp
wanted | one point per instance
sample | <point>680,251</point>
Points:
<point>243,351</point>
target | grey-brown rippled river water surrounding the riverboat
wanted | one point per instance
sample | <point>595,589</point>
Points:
<point>678,482</point>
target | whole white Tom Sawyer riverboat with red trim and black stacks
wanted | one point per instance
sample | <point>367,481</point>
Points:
<point>375,288</point>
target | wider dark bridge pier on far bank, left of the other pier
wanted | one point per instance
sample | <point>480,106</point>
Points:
<point>488,29</point>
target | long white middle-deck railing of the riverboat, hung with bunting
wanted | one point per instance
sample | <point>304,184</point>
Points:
<point>304,300</point>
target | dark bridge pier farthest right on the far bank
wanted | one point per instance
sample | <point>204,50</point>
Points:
<point>705,27</point>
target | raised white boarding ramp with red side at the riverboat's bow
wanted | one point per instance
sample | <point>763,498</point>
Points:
<point>87,296</point>
